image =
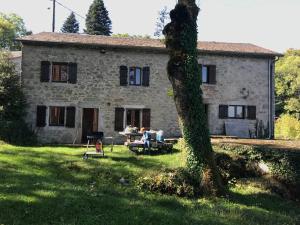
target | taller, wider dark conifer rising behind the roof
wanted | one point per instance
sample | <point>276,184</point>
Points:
<point>97,20</point>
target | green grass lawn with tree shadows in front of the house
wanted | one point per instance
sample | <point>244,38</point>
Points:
<point>54,185</point>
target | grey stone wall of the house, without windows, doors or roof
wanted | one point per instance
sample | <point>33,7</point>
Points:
<point>240,80</point>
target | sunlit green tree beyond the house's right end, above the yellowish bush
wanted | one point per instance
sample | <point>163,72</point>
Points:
<point>287,83</point>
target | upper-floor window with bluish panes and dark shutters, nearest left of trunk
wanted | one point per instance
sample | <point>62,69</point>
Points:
<point>135,76</point>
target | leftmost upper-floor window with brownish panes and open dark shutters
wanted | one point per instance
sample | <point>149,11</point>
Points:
<point>58,72</point>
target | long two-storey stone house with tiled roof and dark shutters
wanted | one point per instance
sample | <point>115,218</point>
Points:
<point>76,84</point>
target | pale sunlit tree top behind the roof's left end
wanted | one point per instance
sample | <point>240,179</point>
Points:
<point>11,27</point>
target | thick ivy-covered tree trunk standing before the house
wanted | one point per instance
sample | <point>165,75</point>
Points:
<point>185,76</point>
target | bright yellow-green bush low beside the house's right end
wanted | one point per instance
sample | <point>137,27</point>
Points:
<point>287,127</point>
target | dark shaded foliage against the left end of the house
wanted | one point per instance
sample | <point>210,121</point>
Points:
<point>12,105</point>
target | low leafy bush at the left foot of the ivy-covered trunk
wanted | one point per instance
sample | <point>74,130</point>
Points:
<point>173,182</point>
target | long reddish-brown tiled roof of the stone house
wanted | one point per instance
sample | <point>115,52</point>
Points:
<point>99,40</point>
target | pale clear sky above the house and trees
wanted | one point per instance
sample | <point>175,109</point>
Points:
<point>268,23</point>
